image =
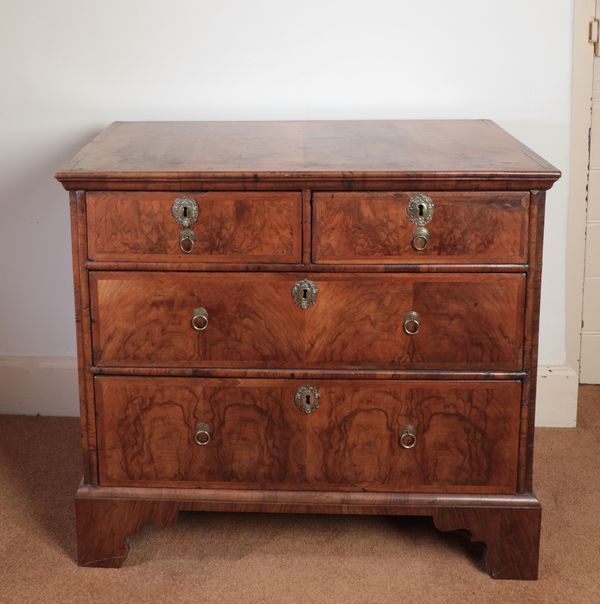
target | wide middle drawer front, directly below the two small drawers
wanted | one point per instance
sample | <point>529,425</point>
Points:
<point>465,321</point>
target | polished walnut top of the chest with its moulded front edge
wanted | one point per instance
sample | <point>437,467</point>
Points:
<point>455,154</point>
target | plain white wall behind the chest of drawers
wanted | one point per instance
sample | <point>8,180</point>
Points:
<point>70,67</point>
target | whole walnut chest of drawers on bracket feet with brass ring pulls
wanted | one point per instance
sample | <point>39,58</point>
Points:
<point>328,317</point>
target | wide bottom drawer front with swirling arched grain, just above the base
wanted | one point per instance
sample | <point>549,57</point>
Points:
<point>465,434</point>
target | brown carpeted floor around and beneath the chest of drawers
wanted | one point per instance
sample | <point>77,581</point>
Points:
<point>223,558</point>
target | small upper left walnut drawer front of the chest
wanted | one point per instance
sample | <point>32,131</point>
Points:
<point>229,227</point>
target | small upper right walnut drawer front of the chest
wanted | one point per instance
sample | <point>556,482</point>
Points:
<point>465,228</point>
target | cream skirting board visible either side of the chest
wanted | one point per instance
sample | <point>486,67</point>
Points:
<point>48,386</point>
